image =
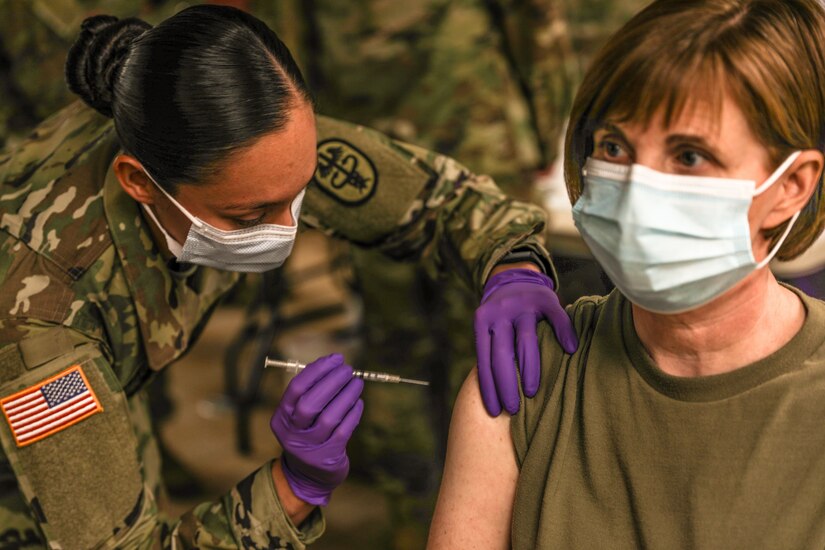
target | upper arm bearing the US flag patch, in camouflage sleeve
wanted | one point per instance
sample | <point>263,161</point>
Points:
<point>63,416</point>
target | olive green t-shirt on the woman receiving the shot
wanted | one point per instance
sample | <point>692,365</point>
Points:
<point>614,453</point>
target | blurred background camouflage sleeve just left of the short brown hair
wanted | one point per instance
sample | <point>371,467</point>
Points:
<point>537,40</point>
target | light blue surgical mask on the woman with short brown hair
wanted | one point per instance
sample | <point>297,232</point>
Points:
<point>670,243</point>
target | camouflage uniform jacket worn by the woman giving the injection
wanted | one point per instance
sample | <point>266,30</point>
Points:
<point>86,297</point>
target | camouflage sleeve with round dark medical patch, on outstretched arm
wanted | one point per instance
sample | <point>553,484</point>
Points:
<point>413,204</point>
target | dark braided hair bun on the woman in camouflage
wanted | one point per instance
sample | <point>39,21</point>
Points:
<point>94,61</point>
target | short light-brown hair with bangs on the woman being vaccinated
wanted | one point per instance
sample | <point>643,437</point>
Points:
<point>768,54</point>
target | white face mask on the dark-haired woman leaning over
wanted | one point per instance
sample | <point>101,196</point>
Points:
<point>253,250</point>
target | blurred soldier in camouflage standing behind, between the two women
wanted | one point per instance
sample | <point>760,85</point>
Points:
<point>485,81</point>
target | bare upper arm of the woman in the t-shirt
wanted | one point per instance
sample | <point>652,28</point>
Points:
<point>475,503</point>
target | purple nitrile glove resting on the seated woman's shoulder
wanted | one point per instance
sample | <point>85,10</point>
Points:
<point>513,303</point>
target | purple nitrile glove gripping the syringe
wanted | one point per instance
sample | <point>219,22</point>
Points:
<point>317,415</point>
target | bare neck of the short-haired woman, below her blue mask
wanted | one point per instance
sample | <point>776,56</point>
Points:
<point>746,324</point>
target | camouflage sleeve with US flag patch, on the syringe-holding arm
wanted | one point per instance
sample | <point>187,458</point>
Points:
<point>90,469</point>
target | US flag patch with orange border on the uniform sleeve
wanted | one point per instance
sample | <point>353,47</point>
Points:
<point>50,406</point>
